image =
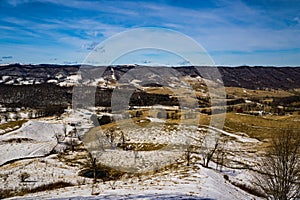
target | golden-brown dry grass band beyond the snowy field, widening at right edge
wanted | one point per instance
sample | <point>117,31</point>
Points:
<point>255,126</point>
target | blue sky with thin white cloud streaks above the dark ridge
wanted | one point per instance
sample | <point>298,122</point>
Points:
<point>234,33</point>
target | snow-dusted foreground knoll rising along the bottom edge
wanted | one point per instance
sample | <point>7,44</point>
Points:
<point>183,183</point>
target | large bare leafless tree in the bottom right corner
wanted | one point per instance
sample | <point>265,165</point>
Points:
<point>279,170</point>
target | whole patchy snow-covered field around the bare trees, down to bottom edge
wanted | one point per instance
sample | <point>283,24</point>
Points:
<point>153,174</point>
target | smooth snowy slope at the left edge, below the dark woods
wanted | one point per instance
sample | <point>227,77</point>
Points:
<point>33,139</point>
